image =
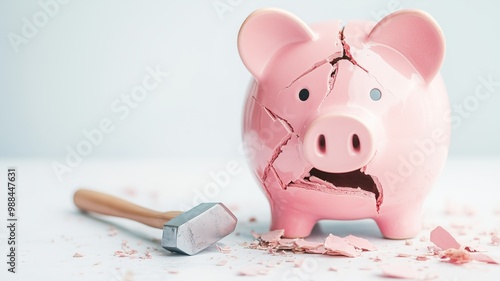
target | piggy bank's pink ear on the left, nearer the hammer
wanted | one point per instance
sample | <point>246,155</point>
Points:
<point>264,33</point>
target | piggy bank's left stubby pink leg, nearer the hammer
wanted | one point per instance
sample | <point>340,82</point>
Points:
<point>294,222</point>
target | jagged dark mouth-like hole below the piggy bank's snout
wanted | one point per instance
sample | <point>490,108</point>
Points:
<point>354,179</point>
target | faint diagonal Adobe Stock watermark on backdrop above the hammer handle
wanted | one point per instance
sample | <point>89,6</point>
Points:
<point>121,108</point>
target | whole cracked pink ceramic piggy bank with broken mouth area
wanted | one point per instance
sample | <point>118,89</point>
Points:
<point>347,121</point>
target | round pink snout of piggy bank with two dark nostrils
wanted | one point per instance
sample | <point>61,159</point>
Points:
<point>339,143</point>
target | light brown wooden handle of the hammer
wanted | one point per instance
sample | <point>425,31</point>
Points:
<point>97,202</point>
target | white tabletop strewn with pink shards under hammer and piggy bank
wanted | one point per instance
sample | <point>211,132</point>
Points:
<point>465,200</point>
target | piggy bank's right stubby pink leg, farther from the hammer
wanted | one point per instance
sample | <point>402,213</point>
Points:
<point>401,222</point>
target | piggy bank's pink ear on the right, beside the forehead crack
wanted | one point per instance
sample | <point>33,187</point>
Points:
<point>416,36</point>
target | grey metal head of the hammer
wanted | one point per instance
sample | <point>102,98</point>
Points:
<point>198,228</point>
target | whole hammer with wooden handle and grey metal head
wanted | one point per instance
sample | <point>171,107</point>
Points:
<point>187,233</point>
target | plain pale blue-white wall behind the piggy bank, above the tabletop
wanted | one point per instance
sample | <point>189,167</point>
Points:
<point>90,53</point>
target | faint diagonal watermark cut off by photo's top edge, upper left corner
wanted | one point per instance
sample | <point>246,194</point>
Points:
<point>32,26</point>
